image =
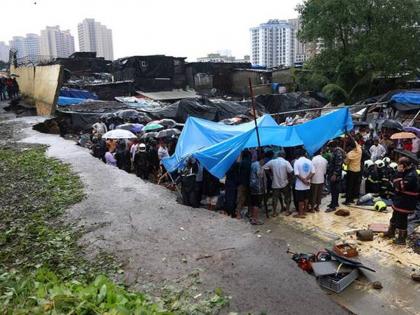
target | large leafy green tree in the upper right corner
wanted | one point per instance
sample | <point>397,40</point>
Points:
<point>362,40</point>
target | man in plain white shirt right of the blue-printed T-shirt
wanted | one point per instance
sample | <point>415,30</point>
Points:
<point>317,181</point>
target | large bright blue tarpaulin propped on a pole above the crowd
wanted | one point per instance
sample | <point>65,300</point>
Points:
<point>218,146</point>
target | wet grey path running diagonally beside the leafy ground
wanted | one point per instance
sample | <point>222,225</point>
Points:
<point>159,240</point>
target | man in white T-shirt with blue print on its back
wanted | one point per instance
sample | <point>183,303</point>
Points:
<point>304,171</point>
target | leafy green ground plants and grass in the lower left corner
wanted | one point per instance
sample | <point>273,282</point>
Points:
<point>42,267</point>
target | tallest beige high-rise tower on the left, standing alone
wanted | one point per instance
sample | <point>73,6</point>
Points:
<point>95,37</point>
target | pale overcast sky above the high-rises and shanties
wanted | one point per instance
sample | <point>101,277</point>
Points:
<point>188,28</point>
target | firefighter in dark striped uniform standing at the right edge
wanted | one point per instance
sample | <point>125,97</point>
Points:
<point>404,201</point>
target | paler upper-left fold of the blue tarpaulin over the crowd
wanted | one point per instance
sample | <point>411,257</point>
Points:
<point>199,133</point>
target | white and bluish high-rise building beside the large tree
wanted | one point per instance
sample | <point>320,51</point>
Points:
<point>275,43</point>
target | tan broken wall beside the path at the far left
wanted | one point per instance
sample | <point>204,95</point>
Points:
<point>40,86</point>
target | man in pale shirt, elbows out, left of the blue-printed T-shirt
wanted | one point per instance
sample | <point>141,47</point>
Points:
<point>280,169</point>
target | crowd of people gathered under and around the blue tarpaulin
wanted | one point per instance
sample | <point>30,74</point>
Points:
<point>272,180</point>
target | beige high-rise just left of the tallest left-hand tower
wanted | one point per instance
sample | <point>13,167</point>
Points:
<point>56,43</point>
